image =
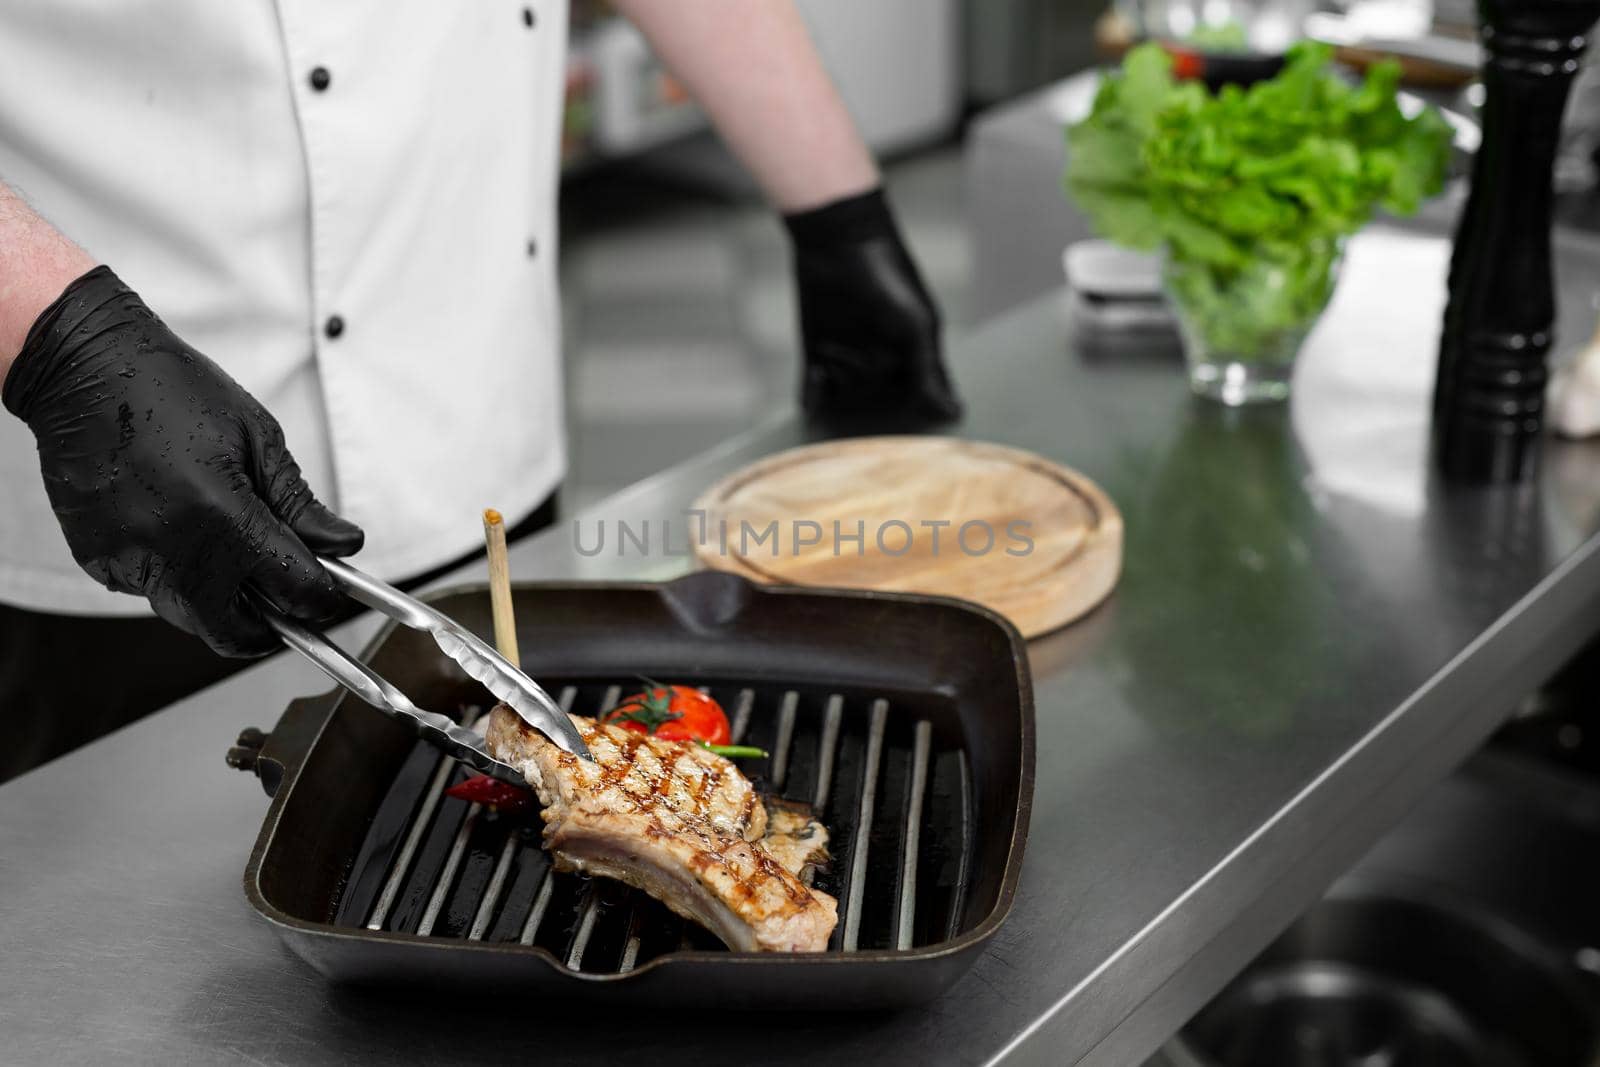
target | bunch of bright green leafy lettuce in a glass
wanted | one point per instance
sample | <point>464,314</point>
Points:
<point>1298,161</point>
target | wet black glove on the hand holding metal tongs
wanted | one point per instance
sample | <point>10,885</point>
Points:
<point>169,479</point>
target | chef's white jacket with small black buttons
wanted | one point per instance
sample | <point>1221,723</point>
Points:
<point>348,204</point>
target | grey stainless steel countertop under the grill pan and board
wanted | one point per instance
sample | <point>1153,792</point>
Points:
<point>1286,668</point>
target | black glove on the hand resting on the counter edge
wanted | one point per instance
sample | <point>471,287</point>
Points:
<point>870,327</point>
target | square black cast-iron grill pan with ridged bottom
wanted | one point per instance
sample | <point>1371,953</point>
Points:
<point>905,722</point>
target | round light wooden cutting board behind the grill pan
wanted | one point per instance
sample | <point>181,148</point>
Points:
<point>1033,540</point>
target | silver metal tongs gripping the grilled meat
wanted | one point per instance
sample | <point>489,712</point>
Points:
<point>479,660</point>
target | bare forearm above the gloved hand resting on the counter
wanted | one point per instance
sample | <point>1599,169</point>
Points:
<point>754,70</point>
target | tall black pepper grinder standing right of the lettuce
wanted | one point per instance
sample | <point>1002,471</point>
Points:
<point>1489,399</point>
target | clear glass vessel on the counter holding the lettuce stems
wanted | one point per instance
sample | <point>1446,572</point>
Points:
<point>1242,327</point>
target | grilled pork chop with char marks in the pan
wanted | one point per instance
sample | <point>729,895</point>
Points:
<point>676,821</point>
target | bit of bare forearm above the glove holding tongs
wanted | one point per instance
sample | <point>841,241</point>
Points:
<point>36,265</point>
